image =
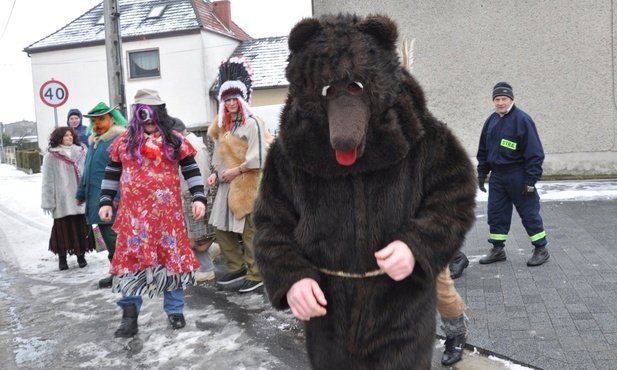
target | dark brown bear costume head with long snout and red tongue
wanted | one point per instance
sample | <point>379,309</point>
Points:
<point>350,100</point>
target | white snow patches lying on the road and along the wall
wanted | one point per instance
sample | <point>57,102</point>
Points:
<point>27,230</point>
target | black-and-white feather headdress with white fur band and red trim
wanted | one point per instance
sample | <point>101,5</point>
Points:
<point>235,82</point>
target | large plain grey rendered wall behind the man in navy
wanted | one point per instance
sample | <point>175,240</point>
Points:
<point>558,55</point>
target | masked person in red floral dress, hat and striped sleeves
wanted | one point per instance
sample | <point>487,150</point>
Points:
<point>153,254</point>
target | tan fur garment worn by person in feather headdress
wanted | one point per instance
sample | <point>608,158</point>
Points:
<point>232,150</point>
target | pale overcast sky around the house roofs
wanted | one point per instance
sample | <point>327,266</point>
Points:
<point>23,22</point>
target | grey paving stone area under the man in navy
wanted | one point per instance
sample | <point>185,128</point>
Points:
<point>558,316</point>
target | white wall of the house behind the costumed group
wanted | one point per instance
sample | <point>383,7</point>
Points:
<point>189,66</point>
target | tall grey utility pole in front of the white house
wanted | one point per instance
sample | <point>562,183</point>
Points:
<point>113,47</point>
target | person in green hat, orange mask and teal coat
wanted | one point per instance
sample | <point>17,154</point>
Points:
<point>105,125</point>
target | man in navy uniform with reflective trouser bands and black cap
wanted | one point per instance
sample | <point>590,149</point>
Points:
<point>511,151</point>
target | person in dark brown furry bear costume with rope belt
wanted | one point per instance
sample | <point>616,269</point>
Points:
<point>361,174</point>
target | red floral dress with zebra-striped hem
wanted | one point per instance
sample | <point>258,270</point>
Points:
<point>152,250</point>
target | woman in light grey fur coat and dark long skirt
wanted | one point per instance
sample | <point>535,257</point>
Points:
<point>63,166</point>
